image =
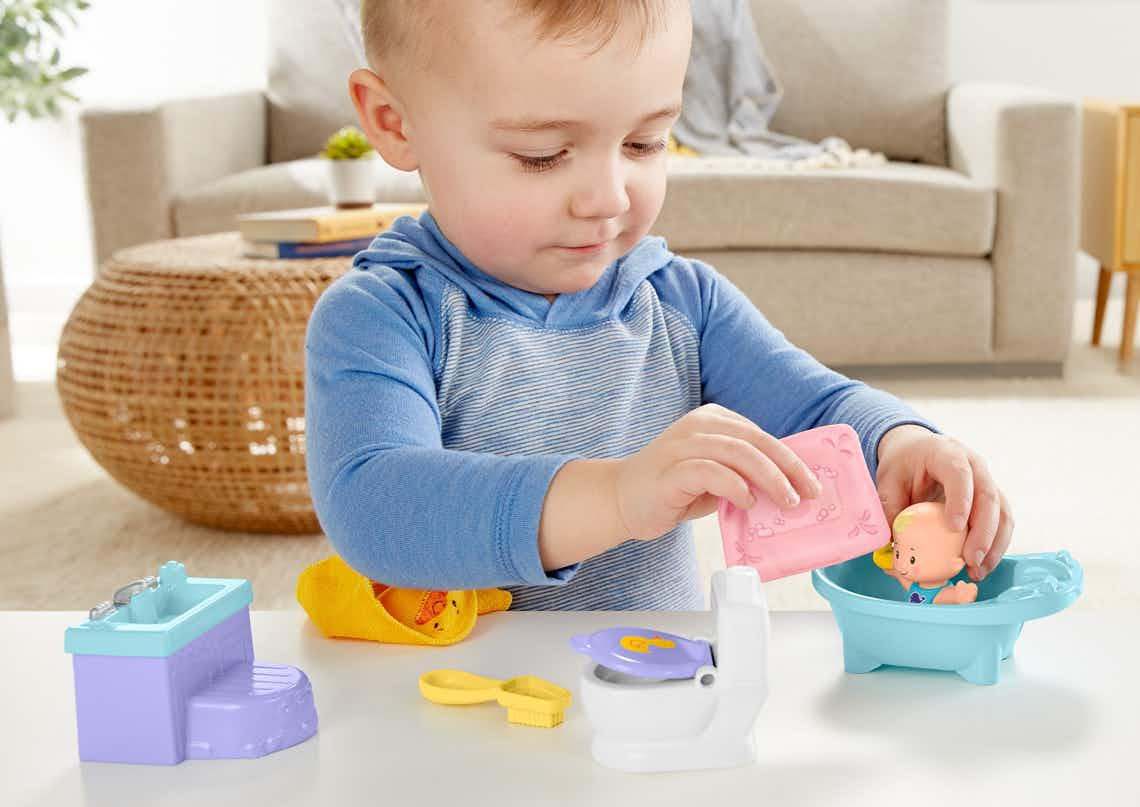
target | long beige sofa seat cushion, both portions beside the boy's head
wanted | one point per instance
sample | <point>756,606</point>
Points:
<point>712,205</point>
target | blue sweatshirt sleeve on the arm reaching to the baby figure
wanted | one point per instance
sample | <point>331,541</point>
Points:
<point>748,366</point>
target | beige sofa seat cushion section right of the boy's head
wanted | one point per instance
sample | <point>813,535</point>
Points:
<point>722,203</point>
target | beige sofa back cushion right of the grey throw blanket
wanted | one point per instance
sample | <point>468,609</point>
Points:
<point>874,72</point>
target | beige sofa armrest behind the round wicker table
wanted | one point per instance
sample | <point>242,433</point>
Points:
<point>137,160</point>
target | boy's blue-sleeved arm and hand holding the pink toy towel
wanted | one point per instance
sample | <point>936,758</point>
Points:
<point>403,510</point>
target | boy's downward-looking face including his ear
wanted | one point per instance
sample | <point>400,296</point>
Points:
<point>543,161</point>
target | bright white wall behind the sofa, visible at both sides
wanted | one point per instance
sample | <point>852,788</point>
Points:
<point>149,50</point>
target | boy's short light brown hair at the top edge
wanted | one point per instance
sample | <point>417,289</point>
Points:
<point>398,27</point>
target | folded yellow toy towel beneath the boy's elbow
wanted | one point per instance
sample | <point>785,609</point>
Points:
<point>345,604</point>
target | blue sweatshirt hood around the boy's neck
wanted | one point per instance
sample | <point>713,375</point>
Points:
<point>419,246</point>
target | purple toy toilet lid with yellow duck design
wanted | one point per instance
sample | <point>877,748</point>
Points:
<point>645,654</point>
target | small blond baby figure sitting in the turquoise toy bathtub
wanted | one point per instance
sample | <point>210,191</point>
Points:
<point>925,556</point>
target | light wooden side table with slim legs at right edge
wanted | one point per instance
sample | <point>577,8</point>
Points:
<point>1111,208</point>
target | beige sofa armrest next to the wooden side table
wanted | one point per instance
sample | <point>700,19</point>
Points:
<point>1025,144</point>
